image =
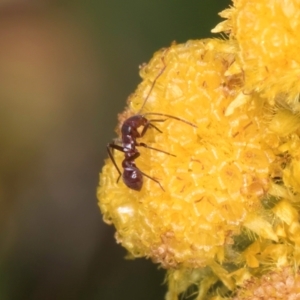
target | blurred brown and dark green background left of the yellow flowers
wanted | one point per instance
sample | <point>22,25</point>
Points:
<point>66,69</point>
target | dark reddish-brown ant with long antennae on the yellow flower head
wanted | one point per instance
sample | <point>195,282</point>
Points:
<point>132,176</point>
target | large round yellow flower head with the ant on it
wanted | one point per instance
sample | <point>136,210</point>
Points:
<point>201,196</point>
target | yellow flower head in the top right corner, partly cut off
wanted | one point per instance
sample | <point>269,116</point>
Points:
<point>267,34</point>
